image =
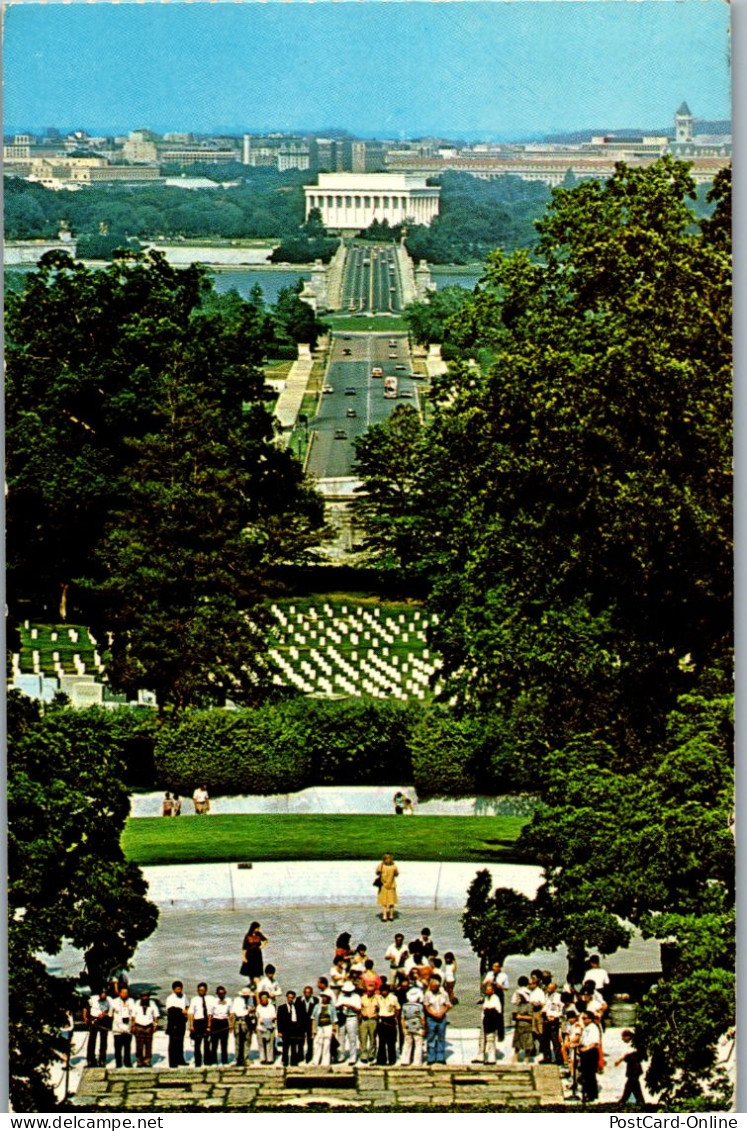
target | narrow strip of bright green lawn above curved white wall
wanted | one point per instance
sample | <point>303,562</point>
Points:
<point>257,838</point>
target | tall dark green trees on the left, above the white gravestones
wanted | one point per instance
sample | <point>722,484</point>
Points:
<point>145,485</point>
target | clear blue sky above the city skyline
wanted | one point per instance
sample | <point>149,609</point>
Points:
<point>393,70</point>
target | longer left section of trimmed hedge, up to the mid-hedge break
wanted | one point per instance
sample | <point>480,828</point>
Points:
<point>282,748</point>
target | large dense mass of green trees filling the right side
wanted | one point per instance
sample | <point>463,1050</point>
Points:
<point>571,507</point>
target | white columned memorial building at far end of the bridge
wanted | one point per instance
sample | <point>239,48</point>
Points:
<point>351,202</point>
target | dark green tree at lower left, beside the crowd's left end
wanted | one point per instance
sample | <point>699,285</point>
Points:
<point>67,877</point>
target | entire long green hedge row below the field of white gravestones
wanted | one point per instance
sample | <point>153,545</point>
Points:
<point>282,748</point>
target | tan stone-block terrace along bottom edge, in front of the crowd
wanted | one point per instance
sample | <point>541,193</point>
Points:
<point>517,1086</point>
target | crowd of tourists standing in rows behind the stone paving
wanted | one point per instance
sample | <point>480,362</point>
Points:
<point>360,1015</point>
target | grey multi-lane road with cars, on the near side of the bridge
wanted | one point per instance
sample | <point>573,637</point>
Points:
<point>357,400</point>
